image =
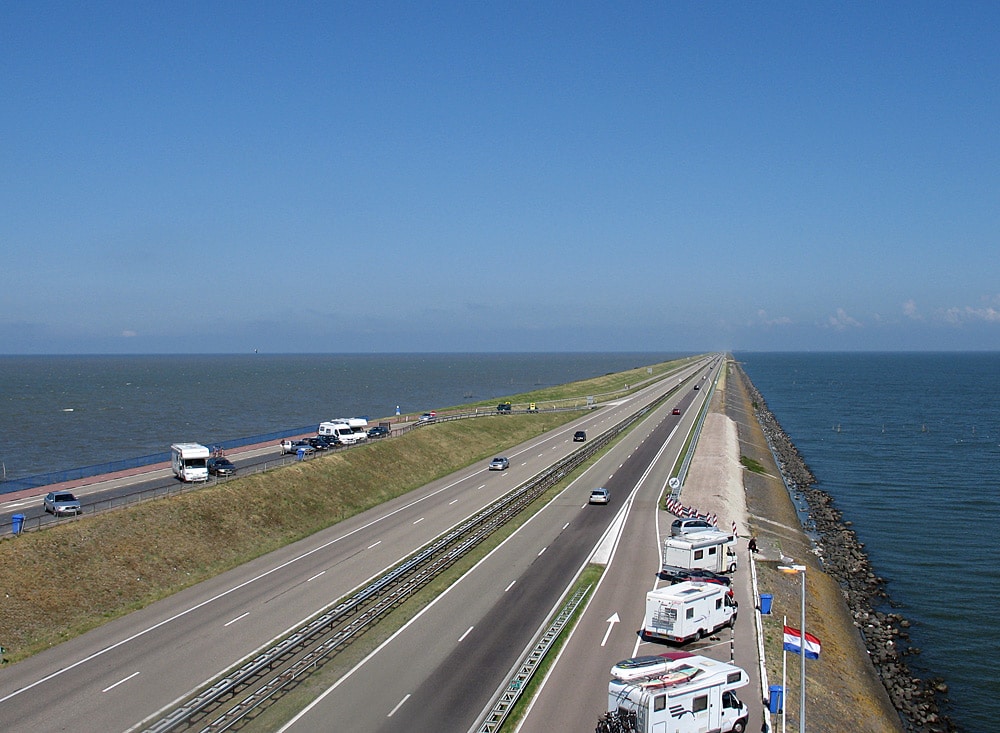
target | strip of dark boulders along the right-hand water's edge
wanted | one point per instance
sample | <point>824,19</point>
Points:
<point>842,556</point>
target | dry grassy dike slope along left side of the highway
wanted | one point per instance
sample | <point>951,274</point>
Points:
<point>60,582</point>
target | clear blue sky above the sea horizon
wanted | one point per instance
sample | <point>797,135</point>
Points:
<point>385,177</point>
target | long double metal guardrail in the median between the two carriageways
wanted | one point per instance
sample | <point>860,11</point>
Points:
<point>287,662</point>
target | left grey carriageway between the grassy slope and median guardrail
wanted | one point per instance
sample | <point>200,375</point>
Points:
<point>124,673</point>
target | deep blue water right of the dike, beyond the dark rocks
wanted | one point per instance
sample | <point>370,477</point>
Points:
<point>909,447</point>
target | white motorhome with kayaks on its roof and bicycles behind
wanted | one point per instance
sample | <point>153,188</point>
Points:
<point>691,694</point>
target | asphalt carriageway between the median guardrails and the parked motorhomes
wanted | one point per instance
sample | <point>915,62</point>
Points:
<point>442,670</point>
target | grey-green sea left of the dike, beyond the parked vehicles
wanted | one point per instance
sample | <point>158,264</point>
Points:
<point>65,412</point>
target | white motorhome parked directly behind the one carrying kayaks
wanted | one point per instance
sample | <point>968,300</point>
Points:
<point>689,610</point>
